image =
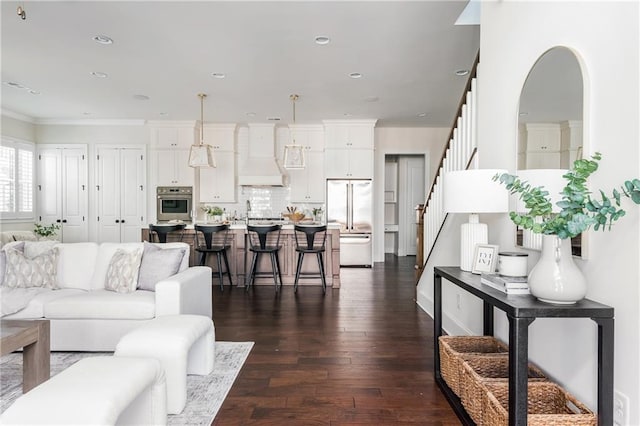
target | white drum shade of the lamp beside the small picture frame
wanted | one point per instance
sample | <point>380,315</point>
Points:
<point>474,191</point>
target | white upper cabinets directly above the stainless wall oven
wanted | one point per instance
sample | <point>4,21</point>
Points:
<point>170,143</point>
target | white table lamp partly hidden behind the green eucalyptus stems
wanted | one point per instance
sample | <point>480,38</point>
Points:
<point>553,182</point>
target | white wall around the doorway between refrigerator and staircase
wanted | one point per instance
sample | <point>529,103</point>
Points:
<point>402,140</point>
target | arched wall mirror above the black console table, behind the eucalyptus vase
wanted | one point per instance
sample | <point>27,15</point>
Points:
<point>550,123</point>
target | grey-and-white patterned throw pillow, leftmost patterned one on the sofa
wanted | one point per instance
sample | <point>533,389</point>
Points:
<point>23,272</point>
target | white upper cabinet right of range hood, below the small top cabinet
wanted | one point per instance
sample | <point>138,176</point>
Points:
<point>307,185</point>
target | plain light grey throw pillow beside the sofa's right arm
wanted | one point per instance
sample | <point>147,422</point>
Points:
<point>158,264</point>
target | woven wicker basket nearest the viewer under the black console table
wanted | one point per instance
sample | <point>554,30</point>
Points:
<point>548,405</point>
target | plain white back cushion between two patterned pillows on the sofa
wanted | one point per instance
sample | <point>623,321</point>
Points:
<point>76,265</point>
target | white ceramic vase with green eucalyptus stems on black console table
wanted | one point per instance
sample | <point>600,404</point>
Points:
<point>555,278</point>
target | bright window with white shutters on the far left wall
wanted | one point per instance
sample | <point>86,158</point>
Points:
<point>16,179</point>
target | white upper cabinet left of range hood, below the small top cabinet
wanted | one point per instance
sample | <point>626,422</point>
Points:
<point>218,184</point>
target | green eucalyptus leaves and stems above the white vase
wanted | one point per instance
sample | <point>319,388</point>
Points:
<point>578,209</point>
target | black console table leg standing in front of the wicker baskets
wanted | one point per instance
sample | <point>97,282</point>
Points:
<point>518,369</point>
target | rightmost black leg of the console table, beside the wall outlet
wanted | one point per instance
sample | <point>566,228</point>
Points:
<point>605,370</point>
